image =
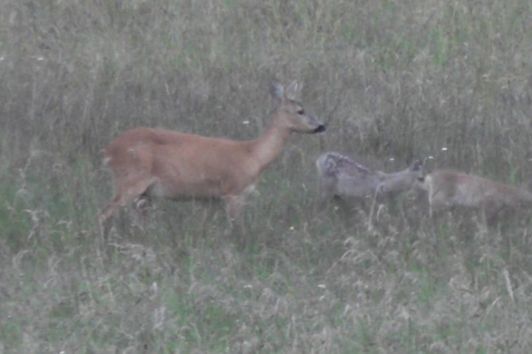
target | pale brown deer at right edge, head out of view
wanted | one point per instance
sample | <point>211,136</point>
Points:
<point>449,189</point>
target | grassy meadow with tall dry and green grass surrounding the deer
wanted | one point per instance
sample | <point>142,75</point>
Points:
<point>394,80</point>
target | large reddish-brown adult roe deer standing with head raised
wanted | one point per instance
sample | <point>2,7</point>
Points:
<point>163,163</point>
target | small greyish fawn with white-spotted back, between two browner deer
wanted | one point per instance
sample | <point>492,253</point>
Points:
<point>340,176</point>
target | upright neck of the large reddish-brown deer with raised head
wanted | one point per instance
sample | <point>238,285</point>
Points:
<point>270,144</point>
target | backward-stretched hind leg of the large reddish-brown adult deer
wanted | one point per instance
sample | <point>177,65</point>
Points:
<point>125,195</point>
